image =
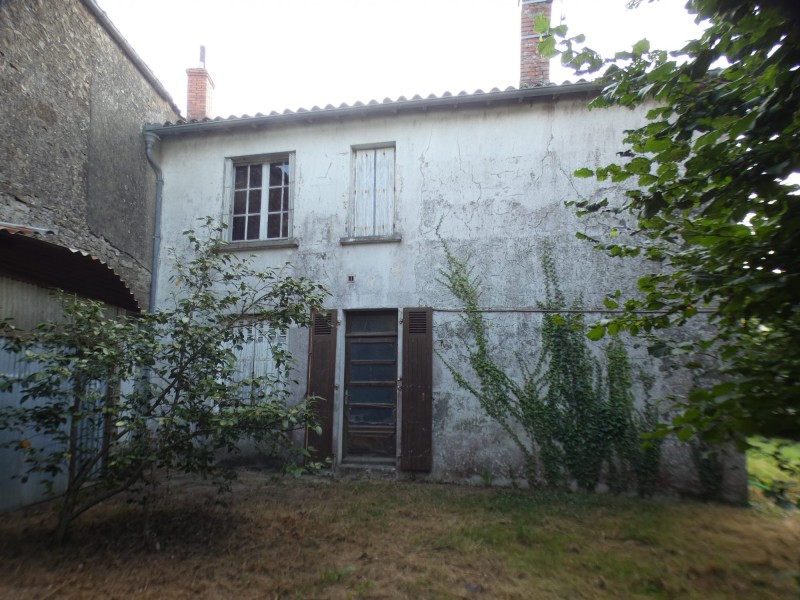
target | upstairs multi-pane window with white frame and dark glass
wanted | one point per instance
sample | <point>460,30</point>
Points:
<point>262,199</point>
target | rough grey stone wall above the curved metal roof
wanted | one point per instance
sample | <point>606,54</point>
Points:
<point>73,156</point>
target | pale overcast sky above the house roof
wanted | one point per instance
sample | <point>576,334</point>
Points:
<point>275,54</point>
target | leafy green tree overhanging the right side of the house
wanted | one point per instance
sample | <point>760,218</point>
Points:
<point>712,188</point>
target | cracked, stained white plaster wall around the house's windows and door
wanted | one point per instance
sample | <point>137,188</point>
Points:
<point>493,180</point>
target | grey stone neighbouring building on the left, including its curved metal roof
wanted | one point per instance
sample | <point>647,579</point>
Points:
<point>77,201</point>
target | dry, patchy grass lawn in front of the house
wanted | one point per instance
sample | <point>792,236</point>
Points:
<point>322,538</point>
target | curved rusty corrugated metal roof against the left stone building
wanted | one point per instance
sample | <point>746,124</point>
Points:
<point>26,256</point>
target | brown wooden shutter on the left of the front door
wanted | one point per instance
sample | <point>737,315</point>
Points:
<point>321,381</point>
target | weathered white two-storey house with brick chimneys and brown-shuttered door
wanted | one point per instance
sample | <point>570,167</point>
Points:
<point>361,198</point>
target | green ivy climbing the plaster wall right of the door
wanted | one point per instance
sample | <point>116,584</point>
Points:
<point>573,416</point>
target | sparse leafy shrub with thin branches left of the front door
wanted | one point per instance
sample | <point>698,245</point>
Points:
<point>163,387</point>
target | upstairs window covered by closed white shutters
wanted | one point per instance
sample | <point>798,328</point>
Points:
<point>373,191</point>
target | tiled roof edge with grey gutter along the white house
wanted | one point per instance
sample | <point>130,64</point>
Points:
<point>374,108</point>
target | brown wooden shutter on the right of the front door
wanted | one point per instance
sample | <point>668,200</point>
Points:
<point>417,408</point>
